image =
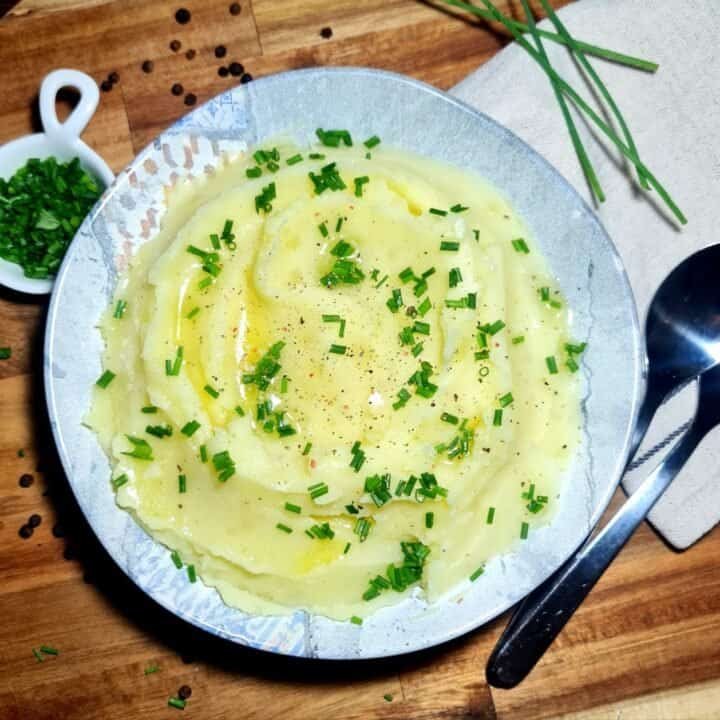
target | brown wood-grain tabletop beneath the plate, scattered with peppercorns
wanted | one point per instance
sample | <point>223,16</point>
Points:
<point>646,645</point>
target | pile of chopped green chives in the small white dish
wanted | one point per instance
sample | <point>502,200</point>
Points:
<point>41,208</point>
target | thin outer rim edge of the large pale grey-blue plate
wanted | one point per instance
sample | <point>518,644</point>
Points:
<point>637,350</point>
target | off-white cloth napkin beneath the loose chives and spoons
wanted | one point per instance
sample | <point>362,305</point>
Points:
<point>674,116</point>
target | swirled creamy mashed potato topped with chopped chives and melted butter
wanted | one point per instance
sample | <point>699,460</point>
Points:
<point>326,397</point>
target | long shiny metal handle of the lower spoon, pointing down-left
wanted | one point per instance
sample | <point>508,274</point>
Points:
<point>551,606</point>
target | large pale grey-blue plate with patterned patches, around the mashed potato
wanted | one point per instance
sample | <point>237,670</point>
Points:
<point>406,114</point>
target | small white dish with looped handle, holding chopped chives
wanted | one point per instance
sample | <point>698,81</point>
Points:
<point>61,140</point>
